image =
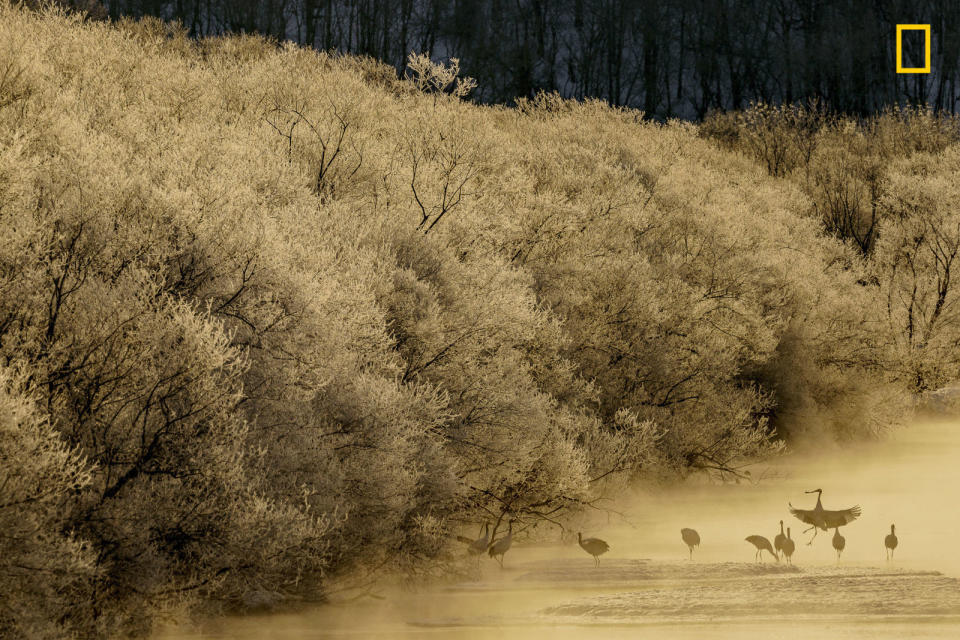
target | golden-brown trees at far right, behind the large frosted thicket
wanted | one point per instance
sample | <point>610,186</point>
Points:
<point>886,187</point>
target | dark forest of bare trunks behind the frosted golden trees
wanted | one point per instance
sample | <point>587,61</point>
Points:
<point>671,59</point>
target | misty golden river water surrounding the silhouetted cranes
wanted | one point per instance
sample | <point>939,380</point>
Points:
<point>647,583</point>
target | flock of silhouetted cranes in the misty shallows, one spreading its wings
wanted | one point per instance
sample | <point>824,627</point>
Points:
<point>783,545</point>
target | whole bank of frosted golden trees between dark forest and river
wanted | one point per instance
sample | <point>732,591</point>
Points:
<point>270,316</point>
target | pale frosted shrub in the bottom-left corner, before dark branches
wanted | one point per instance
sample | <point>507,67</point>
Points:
<point>46,570</point>
